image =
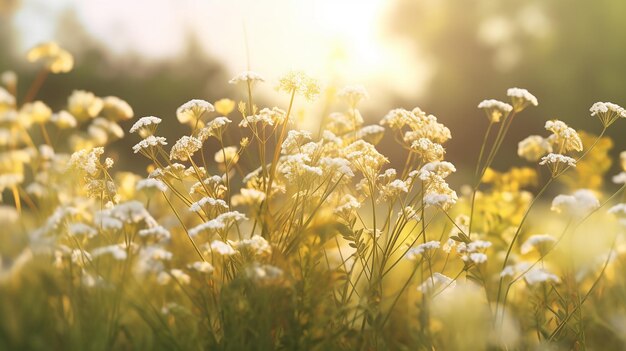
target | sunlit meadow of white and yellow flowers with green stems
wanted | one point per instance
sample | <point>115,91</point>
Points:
<point>249,233</point>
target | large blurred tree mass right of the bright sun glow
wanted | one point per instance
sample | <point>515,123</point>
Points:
<point>570,54</point>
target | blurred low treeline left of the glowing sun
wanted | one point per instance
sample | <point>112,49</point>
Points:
<point>151,87</point>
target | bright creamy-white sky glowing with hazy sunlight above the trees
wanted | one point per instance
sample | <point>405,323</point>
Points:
<point>334,40</point>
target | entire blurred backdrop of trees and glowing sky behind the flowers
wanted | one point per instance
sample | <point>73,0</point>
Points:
<point>444,56</point>
